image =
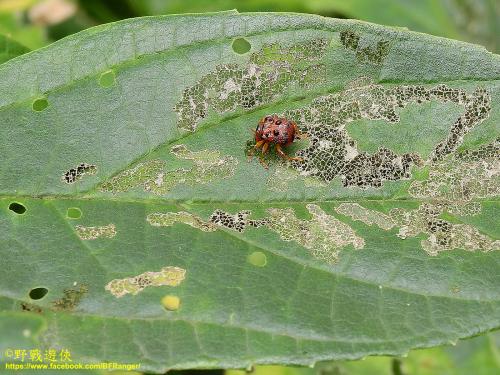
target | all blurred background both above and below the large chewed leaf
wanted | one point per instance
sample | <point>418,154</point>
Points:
<point>36,23</point>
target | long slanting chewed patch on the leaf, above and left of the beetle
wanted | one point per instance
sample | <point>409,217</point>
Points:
<point>269,74</point>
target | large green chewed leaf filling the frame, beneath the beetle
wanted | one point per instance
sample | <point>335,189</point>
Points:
<point>127,201</point>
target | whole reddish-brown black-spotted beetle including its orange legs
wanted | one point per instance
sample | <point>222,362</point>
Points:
<point>277,131</point>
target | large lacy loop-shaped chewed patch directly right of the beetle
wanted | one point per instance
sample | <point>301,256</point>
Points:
<point>332,152</point>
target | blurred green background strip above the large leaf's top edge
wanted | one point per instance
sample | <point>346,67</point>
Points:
<point>35,23</point>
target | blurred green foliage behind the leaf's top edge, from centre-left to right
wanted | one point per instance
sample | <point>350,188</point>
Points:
<point>476,21</point>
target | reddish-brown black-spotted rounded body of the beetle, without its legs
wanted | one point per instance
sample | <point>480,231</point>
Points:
<point>274,129</point>
